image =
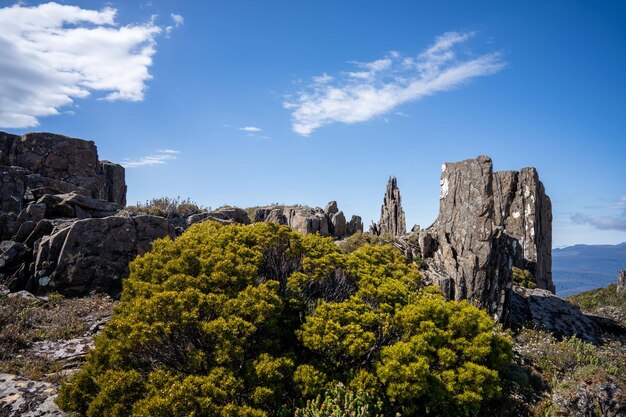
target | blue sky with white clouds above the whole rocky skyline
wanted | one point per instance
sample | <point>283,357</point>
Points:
<point>344,94</point>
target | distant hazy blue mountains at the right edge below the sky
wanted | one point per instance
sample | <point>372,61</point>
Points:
<point>581,268</point>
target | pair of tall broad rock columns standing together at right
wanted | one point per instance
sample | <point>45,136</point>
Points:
<point>487,224</point>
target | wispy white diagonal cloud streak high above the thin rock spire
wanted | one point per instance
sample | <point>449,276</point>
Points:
<point>381,85</point>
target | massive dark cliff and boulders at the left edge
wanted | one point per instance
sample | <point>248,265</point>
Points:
<point>59,228</point>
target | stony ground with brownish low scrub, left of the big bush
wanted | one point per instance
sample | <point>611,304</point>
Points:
<point>43,340</point>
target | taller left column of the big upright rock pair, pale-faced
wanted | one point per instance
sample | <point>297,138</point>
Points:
<point>468,255</point>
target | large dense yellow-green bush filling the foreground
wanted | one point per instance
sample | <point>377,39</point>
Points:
<point>257,320</point>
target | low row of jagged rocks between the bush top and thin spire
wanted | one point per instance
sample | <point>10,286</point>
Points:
<point>327,222</point>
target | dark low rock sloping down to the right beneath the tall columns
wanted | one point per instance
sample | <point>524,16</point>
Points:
<point>538,307</point>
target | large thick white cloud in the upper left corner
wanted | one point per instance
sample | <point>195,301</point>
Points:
<point>52,54</point>
